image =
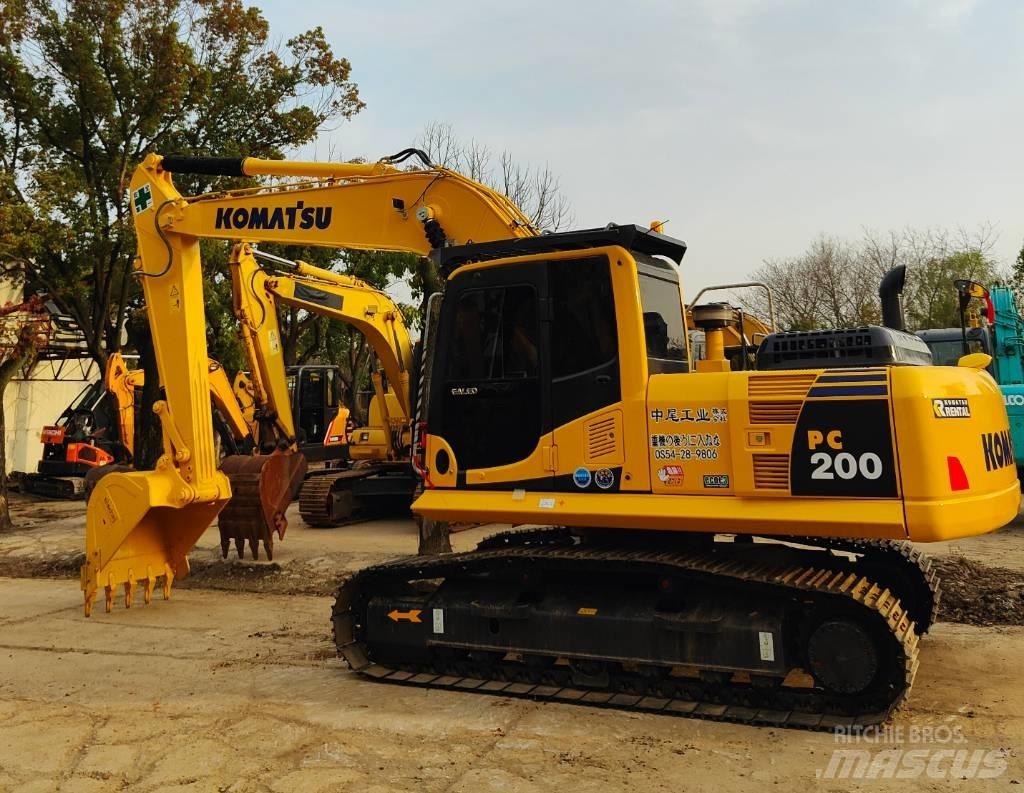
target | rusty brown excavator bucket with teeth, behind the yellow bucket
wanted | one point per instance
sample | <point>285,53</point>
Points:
<point>263,487</point>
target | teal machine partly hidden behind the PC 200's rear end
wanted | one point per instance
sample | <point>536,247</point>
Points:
<point>999,330</point>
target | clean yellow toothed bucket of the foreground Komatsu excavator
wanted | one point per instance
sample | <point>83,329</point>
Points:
<point>138,532</point>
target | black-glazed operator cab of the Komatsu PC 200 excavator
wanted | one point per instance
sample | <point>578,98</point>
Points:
<point>529,348</point>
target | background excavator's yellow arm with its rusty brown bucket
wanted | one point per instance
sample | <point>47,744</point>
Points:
<point>264,485</point>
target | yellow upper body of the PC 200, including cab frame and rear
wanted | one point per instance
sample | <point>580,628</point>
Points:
<point>875,452</point>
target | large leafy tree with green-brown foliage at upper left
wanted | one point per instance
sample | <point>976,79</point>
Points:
<point>89,88</point>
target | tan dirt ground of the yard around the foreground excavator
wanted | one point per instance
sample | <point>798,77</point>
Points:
<point>240,690</point>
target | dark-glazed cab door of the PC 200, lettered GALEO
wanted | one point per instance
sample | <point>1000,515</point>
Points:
<point>490,402</point>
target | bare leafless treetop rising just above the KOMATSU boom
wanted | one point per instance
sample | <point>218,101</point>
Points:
<point>536,190</point>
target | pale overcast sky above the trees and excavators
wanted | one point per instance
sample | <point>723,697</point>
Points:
<point>751,127</point>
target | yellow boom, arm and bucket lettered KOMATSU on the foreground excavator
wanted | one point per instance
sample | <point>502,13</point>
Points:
<point>142,525</point>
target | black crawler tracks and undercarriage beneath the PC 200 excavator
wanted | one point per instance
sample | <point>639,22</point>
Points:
<point>766,635</point>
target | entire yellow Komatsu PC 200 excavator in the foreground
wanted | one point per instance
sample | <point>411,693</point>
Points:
<point>718,544</point>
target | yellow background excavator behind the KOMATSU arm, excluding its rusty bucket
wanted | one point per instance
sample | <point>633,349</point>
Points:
<point>380,475</point>
